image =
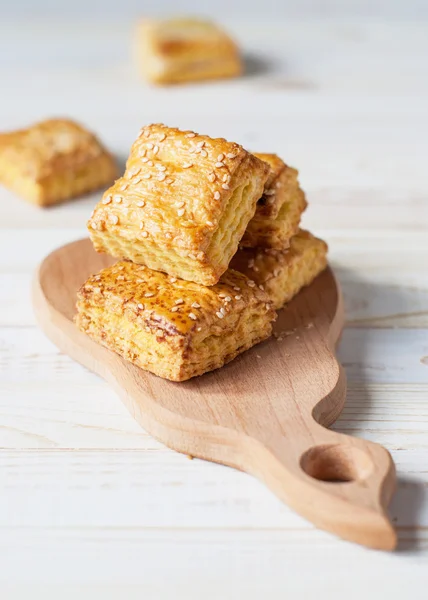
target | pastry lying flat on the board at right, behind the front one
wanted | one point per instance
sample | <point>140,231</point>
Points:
<point>283,273</point>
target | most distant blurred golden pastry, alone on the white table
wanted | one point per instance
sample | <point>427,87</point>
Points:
<point>180,50</point>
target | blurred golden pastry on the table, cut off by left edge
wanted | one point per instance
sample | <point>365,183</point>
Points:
<point>53,161</point>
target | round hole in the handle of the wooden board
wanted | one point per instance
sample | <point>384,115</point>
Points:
<point>336,463</point>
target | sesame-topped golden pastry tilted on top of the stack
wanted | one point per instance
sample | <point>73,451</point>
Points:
<point>182,205</point>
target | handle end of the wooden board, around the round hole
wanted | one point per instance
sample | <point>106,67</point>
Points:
<point>340,483</point>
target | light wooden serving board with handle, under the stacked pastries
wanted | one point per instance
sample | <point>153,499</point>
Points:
<point>265,413</point>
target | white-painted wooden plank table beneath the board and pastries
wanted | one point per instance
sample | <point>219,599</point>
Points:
<point>87,497</point>
